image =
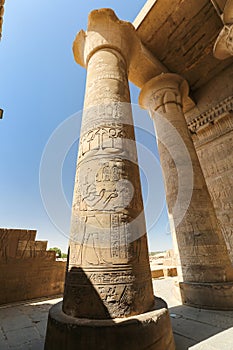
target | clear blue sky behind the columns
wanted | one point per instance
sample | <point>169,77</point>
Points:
<point>41,87</point>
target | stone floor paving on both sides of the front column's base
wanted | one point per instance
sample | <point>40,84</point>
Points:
<point>23,325</point>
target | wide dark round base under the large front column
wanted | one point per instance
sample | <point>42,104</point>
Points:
<point>149,331</point>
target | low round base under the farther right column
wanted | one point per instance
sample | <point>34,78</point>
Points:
<point>217,296</point>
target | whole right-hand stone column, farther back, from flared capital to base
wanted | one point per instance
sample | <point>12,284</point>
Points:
<point>206,271</point>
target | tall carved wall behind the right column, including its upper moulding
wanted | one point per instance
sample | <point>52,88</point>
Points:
<point>213,143</point>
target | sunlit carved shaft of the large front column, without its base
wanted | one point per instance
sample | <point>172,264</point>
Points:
<point>108,270</point>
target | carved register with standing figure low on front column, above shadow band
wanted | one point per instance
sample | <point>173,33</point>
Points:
<point>102,239</point>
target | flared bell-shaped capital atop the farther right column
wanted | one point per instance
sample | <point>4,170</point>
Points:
<point>166,88</point>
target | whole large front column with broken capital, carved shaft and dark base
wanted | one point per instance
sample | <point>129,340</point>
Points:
<point>108,279</point>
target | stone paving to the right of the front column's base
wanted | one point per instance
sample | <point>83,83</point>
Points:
<point>193,328</point>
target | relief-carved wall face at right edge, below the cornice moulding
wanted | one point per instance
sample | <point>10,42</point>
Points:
<point>218,177</point>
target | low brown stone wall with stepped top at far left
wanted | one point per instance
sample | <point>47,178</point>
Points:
<point>27,269</point>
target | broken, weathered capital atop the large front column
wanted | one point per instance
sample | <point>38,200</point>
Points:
<point>105,31</point>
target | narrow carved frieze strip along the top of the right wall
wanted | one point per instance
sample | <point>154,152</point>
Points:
<point>225,106</point>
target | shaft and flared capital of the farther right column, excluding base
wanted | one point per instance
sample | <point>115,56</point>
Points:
<point>198,237</point>
